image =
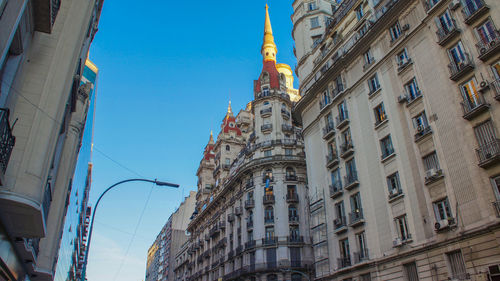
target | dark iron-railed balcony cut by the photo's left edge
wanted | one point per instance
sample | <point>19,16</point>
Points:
<point>7,141</point>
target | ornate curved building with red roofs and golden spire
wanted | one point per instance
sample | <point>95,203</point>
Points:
<point>251,217</point>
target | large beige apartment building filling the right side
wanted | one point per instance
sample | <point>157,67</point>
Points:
<point>400,113</point>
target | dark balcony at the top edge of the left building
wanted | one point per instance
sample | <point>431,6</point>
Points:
<point>45,13</point>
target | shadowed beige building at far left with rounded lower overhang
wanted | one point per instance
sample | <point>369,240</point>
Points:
<point>43,49</point>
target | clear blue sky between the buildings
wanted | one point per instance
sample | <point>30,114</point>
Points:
<point>167,69</point>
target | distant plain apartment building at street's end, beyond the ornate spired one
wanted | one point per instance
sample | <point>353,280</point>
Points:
<point>161,255</point>
